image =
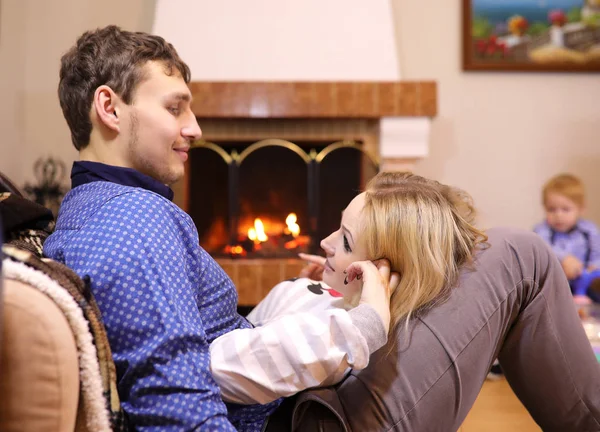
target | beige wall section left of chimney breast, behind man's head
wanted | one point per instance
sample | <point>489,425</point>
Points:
<point>33,36</point>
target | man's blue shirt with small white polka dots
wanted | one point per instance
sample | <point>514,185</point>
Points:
<point>163,300</point>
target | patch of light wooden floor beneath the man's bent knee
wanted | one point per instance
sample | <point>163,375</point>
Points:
<point>498,409</point>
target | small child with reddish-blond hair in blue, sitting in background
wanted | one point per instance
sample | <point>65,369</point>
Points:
<point>574,240</point>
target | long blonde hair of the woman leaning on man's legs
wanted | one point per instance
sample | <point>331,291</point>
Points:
<point>425,229</point>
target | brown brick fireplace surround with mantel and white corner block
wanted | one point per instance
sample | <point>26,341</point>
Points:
<point>375,113</point>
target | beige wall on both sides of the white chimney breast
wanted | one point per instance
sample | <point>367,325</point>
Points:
<point>497,135</point>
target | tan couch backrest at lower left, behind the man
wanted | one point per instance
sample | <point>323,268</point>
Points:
<point>39,373</point>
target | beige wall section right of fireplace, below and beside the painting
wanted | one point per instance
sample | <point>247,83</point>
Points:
<point>499,135</point>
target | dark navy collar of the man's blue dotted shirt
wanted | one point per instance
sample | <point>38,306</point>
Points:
<point>84,172</point>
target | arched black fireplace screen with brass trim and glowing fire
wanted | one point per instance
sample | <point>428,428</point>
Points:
<point>272,198</point>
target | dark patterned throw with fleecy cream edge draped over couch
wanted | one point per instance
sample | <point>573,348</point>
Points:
<point>26,227</point>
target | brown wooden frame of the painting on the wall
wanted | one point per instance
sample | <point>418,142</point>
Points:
<point>471,62</point>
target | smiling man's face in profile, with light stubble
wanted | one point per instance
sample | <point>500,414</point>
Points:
<point>159,125</point>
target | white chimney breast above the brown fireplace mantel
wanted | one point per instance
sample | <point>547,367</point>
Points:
<point>275,40</point>
